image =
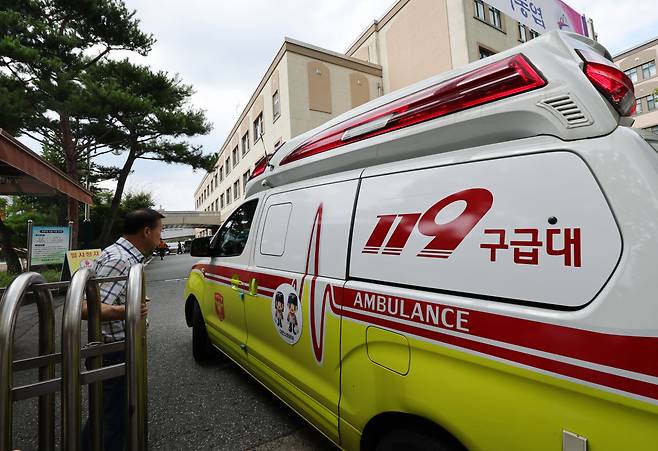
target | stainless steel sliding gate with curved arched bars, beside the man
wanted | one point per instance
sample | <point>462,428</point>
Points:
<point>83,285</point>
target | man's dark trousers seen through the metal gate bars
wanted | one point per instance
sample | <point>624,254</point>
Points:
<point>114,408</point>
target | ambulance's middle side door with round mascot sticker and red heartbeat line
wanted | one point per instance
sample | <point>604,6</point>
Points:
<point>300,254</point>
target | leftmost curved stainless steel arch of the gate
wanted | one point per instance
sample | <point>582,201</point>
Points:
<point>9,306</point>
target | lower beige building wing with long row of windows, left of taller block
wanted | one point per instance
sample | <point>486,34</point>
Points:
<point>303,87</point>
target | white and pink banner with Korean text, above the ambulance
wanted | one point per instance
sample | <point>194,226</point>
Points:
<point>543,15</point>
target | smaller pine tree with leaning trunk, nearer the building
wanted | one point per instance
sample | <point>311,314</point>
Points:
<point>144,114</point>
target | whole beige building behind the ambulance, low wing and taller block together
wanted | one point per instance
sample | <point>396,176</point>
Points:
<point>305,86</point>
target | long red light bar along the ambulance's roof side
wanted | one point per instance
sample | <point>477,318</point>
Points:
<point>495,81</point>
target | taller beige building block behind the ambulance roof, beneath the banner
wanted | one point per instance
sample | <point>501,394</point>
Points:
<point>417,39</point>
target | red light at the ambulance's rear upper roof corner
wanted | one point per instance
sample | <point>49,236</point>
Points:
<point>610,81</point>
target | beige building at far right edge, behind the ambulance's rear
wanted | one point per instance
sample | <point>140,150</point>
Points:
<point>639,63</point>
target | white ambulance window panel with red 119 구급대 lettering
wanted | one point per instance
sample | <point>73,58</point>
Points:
<point>526,229</point>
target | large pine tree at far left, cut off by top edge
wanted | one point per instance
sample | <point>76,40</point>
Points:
<point>45,48</point>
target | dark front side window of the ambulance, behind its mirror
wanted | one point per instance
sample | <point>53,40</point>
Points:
<point>231,239</point>
